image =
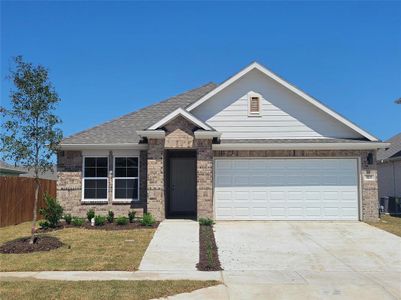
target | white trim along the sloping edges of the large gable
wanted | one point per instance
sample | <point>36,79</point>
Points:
<point>290,87</point>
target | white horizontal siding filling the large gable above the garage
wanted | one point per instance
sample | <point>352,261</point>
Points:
<point>283,114</point>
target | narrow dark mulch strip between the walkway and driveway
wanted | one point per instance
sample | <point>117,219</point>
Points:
<point>208,254</point>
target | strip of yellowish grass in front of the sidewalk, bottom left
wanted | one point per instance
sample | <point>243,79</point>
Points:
<point>49,289</point>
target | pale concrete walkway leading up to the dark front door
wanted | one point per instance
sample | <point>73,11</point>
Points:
<point>174,247</point>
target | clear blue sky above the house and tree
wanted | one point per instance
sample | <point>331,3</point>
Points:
<point>110,58</point>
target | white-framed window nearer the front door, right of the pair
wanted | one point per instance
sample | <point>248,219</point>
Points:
<point>126,183</point>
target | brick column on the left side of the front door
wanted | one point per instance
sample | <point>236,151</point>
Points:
<point>155,204</point>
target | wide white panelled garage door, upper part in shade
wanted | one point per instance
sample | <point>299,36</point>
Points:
<point>286,189</point>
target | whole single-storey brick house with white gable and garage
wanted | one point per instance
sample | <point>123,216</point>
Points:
<point>252,148</point>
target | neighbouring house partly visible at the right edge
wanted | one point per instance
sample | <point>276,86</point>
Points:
<point>389,168</point>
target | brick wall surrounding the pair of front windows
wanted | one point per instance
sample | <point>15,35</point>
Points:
<point>69,187</point>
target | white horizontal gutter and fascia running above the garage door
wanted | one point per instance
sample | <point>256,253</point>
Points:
<point>301,146</point>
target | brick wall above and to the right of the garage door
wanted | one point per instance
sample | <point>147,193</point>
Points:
<point>369,190</point>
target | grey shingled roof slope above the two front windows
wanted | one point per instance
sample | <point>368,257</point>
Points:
<point>123,130</point>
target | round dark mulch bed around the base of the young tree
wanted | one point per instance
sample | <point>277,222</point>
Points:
<point>21,245</point>
